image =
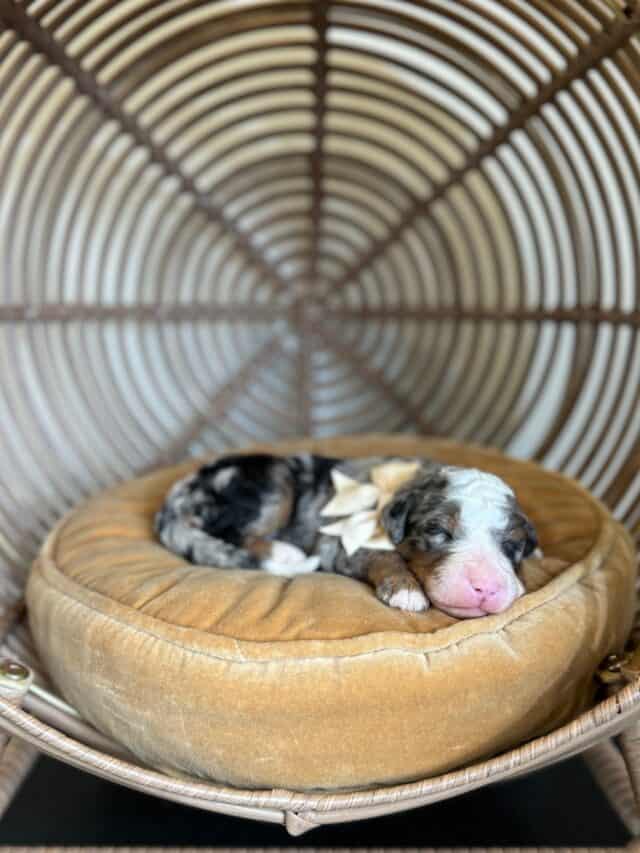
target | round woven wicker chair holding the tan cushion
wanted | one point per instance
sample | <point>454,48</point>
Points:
<point>236,221</point>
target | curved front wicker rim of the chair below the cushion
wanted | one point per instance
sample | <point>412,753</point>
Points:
<point>606,719</point>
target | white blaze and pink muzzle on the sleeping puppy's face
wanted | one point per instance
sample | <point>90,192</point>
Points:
<point>476,577</point>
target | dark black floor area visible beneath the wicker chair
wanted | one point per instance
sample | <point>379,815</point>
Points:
<point>559,805</point>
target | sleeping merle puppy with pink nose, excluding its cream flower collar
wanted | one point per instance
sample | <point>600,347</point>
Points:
<point>459,535</point>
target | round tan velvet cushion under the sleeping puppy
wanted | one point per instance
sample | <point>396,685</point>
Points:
<point>262,681</point>
